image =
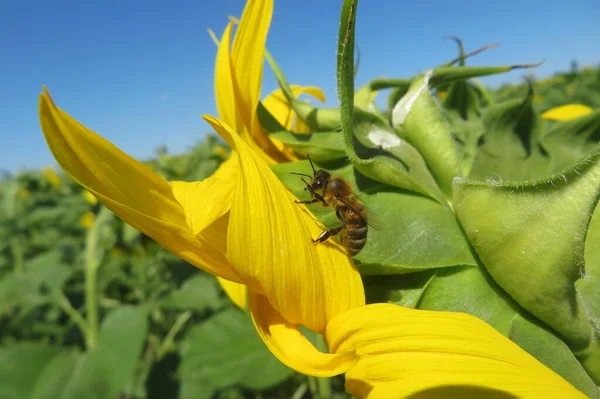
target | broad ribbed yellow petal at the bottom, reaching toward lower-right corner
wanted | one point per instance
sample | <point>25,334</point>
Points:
<point>407,352</point>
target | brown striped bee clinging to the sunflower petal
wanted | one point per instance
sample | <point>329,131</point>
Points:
<point>335,191</point>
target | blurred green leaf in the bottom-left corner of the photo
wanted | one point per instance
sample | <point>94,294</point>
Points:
<point>21,364</point>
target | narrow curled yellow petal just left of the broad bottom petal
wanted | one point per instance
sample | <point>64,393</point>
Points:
<point>292,348</point>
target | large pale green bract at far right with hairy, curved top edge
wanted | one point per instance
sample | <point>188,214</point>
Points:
<point>534,232</point>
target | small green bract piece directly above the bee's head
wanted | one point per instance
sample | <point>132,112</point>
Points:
<point>322,146</point>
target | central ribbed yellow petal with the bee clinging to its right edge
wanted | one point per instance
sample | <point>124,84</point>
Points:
<point>270,244</point>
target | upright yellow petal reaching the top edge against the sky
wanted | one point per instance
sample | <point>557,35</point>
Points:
<point>247,59</point>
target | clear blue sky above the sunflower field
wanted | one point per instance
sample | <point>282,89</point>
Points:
<point>141,72</point>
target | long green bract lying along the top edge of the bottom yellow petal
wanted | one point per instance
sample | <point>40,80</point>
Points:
<point>469,289</point>
